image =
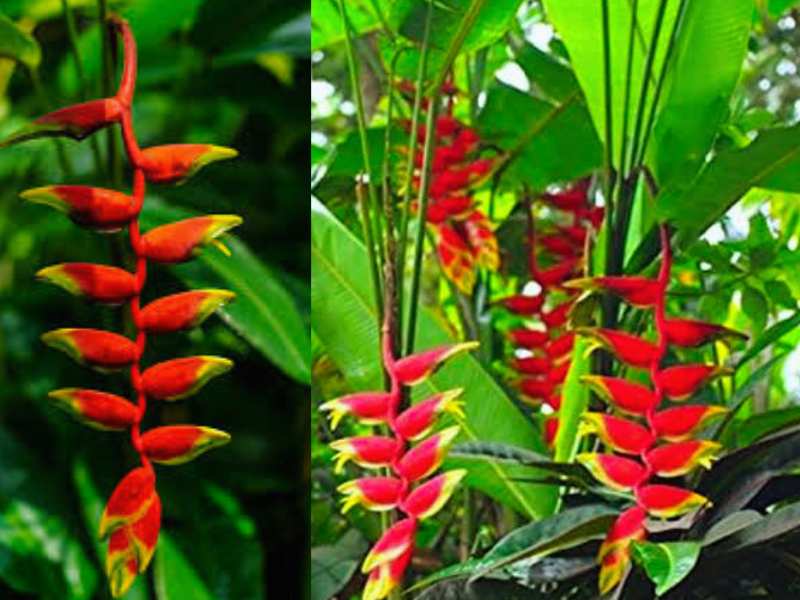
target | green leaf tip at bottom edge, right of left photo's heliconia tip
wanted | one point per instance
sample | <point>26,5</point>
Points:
<point>174,576</point>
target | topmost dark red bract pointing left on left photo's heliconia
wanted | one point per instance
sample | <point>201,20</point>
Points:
<point>77,121</point>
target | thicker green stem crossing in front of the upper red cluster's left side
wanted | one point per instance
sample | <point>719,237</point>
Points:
<point>416,274</point>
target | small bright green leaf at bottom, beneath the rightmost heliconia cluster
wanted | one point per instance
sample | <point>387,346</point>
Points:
<point>666,564</point>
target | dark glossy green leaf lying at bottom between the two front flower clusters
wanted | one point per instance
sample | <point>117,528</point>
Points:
<point>567,529</point>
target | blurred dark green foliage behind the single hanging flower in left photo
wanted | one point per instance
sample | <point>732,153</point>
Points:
<point>230,72</point>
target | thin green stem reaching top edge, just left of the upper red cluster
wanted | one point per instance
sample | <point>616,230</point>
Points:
<point>412,145</point>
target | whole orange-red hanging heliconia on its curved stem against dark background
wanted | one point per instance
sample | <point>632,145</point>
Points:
<point>132,518</point>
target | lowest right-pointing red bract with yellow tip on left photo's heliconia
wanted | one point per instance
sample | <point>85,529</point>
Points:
<point>178,444</point>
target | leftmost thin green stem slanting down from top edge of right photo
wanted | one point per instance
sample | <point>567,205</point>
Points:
<point>362,130</point>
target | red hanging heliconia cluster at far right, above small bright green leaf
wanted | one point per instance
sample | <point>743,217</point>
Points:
<point>648,441</point>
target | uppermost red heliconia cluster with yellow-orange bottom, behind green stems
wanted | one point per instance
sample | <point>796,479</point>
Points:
<point>464,236</point>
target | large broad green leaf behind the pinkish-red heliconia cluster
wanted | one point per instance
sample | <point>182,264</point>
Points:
<point>344,319</point>
